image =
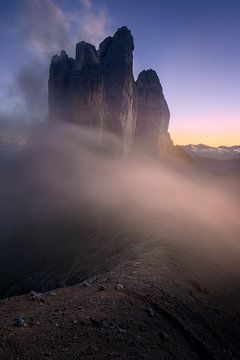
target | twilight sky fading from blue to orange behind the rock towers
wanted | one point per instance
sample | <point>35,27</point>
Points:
<point>192,44</point>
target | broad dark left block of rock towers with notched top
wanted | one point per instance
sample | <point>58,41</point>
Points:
<point>75,87</point>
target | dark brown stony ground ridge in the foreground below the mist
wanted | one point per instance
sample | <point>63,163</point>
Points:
<point>150,305</point>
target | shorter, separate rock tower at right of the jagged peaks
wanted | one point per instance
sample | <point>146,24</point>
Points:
<point>152,114</point>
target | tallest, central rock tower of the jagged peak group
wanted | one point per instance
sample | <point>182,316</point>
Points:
<point>116,57</point>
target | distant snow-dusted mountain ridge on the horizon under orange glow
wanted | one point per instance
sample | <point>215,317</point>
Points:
<point>220,152</point>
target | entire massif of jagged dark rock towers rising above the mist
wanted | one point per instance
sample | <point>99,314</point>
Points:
<point>97,89</point>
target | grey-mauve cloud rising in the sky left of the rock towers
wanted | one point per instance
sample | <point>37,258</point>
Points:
<point>44,29</point>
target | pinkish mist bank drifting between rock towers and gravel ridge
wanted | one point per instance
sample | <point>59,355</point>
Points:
<point>69,197</point>
